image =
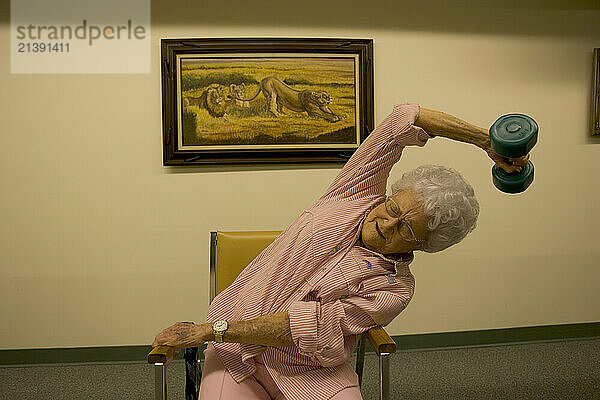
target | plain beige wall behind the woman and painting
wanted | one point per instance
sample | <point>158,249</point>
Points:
<point>102,245</point>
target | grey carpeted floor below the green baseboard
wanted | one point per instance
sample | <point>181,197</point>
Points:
<point>553,370</point>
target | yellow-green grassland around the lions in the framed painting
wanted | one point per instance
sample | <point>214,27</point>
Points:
<point>253,123</point>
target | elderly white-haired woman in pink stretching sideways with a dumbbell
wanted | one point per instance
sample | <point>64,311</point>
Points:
<point>287,326</point>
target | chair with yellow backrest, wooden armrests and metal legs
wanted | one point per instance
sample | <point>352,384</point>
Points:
<point>230,252</point>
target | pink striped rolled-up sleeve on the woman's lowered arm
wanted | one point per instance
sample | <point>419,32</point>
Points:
<point>318,330</point>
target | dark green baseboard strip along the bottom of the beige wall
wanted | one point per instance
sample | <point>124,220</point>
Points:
<point>404,342</point>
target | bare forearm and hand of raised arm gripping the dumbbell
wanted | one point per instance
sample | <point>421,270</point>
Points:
<point>438,123</point>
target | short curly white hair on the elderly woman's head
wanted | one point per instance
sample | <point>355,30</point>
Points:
<point>447,199</point>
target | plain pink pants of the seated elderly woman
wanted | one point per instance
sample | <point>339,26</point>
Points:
<point>217,383</point>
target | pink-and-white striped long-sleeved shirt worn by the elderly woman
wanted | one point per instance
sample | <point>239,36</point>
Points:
<point>333,289</point>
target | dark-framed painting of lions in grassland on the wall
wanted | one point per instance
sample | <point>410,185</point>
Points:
<point>265,101</point>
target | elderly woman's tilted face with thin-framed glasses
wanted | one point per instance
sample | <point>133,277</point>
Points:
<point>396,226</point>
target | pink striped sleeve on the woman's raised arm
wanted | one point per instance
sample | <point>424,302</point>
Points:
<point>366,172</point>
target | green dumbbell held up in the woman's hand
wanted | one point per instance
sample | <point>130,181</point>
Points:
<point>513,135</point>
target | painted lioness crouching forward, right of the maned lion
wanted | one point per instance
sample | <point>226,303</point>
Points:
<point>280,95</point>
